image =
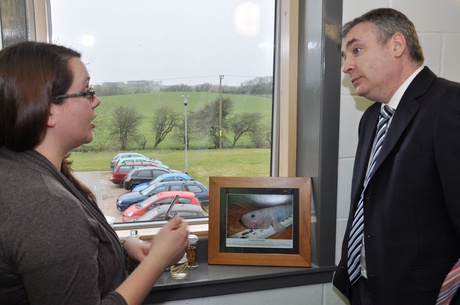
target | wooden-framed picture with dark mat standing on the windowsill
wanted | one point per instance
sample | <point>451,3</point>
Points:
<point>261,221</point>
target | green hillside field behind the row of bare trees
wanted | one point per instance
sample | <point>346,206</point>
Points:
<point>147,103</point>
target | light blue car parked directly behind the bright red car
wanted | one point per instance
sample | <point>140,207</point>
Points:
<point>200,191</point>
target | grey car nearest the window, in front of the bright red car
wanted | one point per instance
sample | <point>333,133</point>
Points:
<point>186,211</point>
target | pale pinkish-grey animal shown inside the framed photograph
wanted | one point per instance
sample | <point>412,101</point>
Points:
<point>263,218</point>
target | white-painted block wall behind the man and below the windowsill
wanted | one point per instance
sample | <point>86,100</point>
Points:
<point>438,27</point>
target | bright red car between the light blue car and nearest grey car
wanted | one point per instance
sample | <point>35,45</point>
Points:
<point>163,198</point>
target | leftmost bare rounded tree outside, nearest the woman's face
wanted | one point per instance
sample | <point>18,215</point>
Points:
<point>125,122</point>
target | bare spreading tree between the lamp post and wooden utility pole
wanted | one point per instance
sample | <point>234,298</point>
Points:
<point>206,119</point>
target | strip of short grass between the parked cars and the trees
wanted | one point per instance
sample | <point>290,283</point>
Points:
<point>201,163</point>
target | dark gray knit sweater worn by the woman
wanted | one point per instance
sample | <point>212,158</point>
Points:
<point>55,246</point>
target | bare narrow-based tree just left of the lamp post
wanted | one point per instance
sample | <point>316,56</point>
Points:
<point>163,123</point>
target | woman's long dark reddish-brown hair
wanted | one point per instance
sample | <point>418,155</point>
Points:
<point>31,73</point>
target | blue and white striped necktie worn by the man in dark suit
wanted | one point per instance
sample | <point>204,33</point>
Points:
<point>355,240</point>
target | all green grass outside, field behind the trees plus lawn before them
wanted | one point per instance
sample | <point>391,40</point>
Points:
<point>202,163</point>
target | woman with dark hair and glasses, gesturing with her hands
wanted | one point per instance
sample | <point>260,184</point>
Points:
<point>55,245</point>
